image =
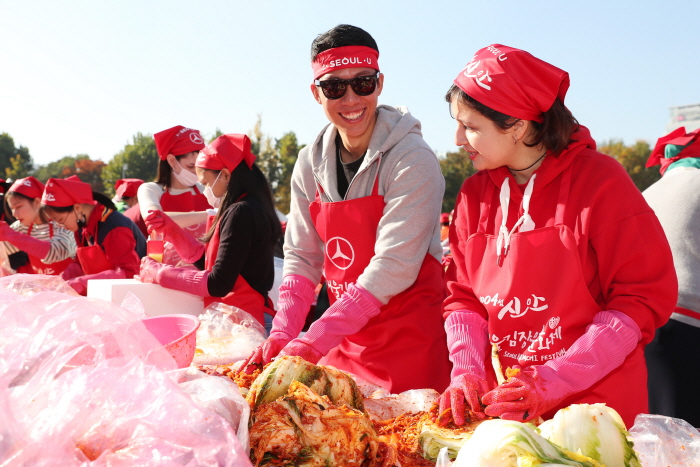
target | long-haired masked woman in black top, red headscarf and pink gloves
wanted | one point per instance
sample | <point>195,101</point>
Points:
<point>236,264</point>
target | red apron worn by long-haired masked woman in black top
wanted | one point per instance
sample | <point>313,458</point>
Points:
<point>242,296</point>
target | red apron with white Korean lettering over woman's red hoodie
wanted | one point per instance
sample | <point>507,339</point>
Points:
<point>538,304</point>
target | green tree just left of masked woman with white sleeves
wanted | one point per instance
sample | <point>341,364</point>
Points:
<point>138,159</point>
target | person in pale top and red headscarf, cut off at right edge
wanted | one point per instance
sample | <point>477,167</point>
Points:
<point>673,355</point>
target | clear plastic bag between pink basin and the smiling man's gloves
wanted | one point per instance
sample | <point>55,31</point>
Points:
<point>226,335</point>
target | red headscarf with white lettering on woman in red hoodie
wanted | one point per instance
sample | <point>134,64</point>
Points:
<point>513,82</point>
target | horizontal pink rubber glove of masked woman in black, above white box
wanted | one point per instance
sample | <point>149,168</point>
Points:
<point>184,279</point>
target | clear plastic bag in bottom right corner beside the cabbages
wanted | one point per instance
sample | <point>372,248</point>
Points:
<point>665,441</point>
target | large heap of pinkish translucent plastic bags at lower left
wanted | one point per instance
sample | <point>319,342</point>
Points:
<point>83,383</point>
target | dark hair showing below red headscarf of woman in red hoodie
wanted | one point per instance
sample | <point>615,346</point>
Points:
<point>554,133</point>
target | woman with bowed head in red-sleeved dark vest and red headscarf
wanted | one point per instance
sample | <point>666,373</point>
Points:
<point>110,246</point>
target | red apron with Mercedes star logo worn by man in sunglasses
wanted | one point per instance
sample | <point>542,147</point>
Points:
<point>404,346</point>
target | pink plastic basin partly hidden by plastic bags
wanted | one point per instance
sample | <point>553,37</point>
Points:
<point>177,333</point>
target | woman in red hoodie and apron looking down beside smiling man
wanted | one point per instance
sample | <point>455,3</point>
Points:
<point>557,258</point>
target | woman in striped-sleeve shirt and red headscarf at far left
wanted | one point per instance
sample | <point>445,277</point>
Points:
<point>50,248</point>
